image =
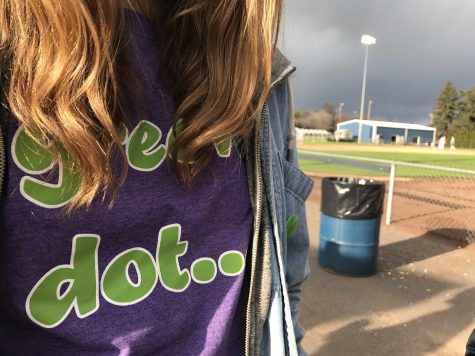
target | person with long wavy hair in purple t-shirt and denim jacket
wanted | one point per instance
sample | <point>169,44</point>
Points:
<point>150,201</point>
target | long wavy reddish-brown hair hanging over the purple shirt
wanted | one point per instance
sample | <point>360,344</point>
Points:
<point>64,59</point>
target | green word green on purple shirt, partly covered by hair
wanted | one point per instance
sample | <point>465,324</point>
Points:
<point>143,150</point>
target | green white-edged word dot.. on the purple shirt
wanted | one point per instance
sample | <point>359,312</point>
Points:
<point>76,285</point>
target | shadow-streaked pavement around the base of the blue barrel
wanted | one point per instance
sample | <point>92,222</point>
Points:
<point>421,301</point>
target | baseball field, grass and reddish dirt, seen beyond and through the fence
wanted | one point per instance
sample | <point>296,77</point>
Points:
<point>427,200</point>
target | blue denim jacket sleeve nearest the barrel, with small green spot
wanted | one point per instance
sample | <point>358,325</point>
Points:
<point>297,189</point>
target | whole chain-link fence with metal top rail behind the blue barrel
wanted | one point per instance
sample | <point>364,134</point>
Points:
<point>433,199</point>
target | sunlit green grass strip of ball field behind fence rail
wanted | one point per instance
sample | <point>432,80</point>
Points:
<point>463,159</point>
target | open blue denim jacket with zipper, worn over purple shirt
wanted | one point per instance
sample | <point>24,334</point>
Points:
<point>278,254</point>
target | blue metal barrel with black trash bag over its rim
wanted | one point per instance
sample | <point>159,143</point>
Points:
<point>349,225</point>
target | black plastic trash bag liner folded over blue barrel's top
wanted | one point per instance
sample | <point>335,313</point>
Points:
<point>351,198</point>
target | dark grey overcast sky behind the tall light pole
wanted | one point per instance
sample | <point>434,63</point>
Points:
<point>421,44</point>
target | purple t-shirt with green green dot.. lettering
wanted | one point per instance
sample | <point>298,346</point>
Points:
<point>162,272</point>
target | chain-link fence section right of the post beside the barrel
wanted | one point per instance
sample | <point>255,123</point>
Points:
<point>439,201</point>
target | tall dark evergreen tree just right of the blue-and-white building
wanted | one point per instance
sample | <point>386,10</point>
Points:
<point>446,109</point>
